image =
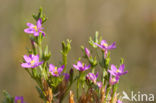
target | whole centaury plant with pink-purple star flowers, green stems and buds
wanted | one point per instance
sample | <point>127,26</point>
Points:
<point>95,81</point>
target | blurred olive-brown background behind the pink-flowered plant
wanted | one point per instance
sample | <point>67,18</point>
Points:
<point>131,23</point>
